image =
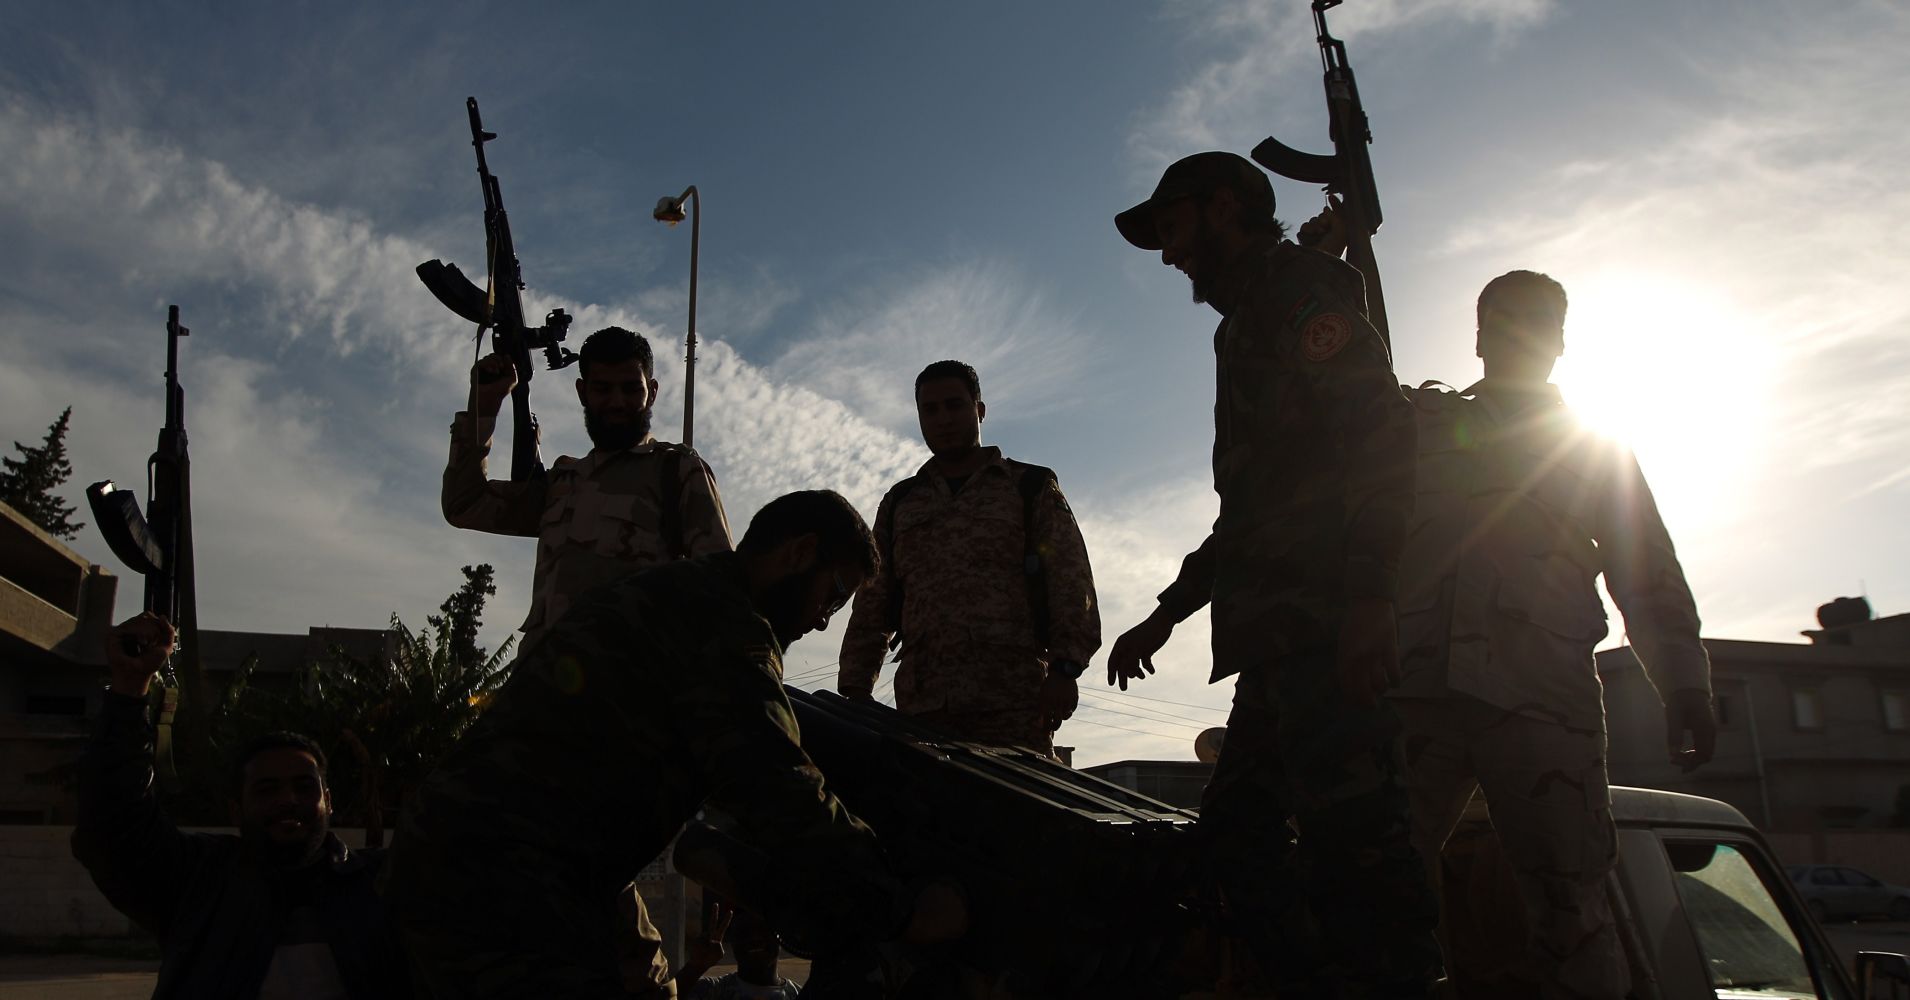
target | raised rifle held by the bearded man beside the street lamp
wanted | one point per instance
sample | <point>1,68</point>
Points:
<point>499,308</point>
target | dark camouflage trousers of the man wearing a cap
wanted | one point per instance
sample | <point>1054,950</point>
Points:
<point>1309,839</point>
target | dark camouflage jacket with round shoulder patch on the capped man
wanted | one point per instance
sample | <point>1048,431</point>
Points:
<point>1313,459</point>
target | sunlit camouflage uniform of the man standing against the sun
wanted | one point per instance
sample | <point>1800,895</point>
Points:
<point>1519,510</point>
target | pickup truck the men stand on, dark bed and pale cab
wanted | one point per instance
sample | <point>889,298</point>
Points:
<point>1086,888</point>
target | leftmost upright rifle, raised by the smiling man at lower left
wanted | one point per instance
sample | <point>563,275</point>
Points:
<point>159,547</point>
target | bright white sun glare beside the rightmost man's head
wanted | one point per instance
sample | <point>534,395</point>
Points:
<point>1678,375</point>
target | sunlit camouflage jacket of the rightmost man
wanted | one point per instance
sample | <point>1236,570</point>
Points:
<point>1519,510</point>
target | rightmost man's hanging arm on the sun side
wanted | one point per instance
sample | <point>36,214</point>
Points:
<point>1649,589</point>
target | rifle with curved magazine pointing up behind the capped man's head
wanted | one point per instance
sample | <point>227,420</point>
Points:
<point>1348,171</point>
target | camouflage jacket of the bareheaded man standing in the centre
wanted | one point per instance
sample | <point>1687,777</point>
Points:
<point>971,663</point>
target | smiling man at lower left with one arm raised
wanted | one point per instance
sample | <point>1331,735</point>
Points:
<point>280,911</point>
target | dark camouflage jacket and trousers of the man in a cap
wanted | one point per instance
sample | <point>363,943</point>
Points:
<point>1313,465</point>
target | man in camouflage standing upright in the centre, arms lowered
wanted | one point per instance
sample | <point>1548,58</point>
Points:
<point>985,585</point>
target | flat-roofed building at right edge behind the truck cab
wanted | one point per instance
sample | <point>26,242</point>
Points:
<point>1812,736</point>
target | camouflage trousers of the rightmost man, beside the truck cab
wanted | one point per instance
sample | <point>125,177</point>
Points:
<point>1552,810</point>
